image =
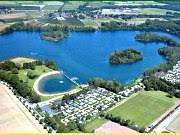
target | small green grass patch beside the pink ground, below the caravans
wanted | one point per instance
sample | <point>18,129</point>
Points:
<point>94,124</point>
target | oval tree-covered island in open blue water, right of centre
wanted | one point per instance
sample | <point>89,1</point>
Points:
<point>126,56</point>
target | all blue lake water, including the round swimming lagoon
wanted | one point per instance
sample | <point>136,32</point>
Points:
<point>83,55</point>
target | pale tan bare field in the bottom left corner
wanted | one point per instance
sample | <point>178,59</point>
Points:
<point>14,117</point>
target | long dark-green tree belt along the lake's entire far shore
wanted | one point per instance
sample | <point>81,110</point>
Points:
<point>171,26</point>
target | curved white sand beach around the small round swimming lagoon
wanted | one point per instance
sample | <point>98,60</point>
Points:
<point>37,83</point>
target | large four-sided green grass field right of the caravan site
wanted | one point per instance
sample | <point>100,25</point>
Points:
<point>144,108</point>
